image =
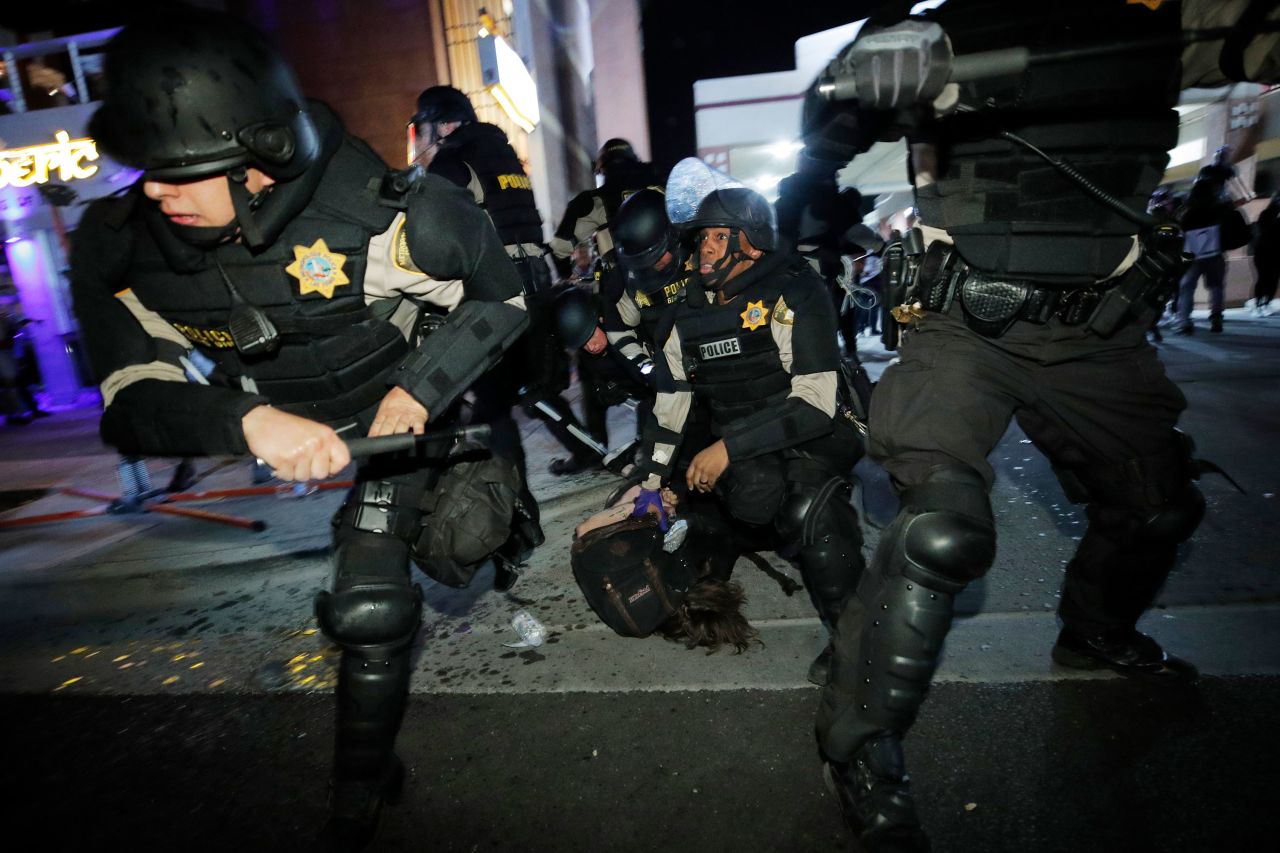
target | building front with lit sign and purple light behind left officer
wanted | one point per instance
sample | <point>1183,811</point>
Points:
<point>537,69</point>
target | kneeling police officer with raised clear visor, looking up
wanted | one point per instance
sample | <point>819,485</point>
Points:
<point>756,341</point>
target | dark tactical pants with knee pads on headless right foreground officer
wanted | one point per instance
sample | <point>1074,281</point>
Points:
<point>1103,412</point>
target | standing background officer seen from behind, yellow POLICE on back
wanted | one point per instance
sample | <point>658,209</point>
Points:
<point>452,143</point>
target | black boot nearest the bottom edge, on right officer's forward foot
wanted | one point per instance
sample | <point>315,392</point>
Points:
<point>876,800</point>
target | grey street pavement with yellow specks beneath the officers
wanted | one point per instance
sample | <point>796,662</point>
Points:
<point>163,686</point>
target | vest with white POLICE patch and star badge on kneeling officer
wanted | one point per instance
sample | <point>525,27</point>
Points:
<point>737,370</point>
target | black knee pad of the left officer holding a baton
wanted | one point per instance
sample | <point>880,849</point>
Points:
<point>373,601</point>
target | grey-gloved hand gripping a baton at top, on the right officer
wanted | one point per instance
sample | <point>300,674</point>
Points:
<point>900,66</point>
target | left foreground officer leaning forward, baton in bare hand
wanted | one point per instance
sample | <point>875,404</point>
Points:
<point>259,236</point>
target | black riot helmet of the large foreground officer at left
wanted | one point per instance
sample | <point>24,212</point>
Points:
<point>199,94</point>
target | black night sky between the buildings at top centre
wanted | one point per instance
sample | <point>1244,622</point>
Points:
<point>687,42</point>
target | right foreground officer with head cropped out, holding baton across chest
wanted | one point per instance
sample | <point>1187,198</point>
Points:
<point>1035,285</point>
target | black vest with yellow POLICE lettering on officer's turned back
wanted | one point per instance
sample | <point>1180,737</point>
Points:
<point>509,194</point>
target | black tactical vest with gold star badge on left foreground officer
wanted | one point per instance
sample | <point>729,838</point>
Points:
<point>335,354</point>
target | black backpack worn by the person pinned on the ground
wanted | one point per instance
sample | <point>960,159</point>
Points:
<point>628,580</point>
